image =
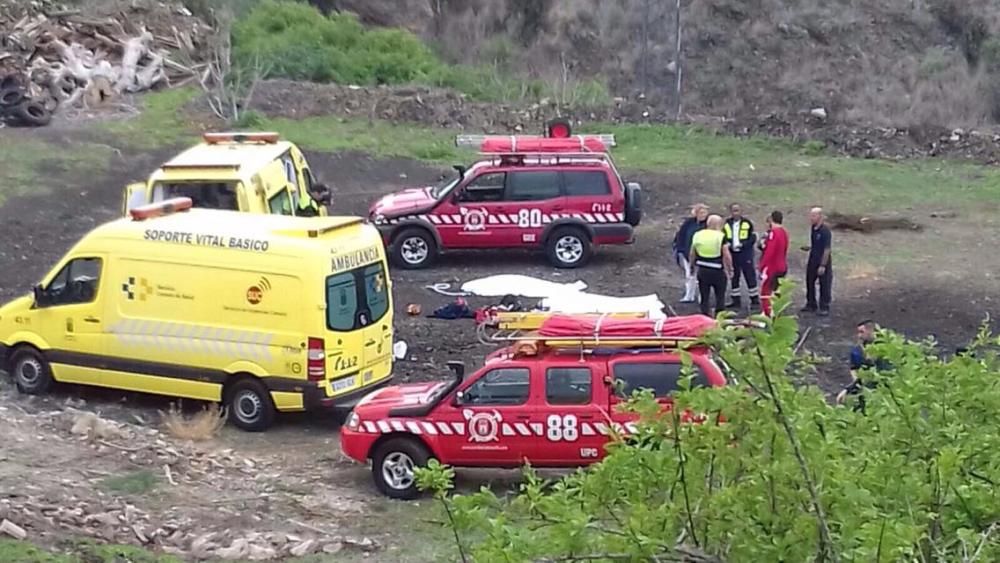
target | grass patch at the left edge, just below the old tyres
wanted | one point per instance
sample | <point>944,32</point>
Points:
<point>29,165</point>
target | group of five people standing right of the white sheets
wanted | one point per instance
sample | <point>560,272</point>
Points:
<point>712,250</point>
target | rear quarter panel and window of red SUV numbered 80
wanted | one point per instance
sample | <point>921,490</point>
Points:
<point>595,195</point>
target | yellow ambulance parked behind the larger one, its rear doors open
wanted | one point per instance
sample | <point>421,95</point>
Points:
<point>249,172</point>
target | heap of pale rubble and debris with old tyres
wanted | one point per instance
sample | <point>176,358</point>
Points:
<point>52,58</point>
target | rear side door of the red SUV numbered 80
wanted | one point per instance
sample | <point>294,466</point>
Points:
<point>533,199</point>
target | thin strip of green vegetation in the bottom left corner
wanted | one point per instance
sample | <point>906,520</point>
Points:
<point>79,552</point>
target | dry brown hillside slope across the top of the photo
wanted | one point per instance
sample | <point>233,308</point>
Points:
<point>886,62</point>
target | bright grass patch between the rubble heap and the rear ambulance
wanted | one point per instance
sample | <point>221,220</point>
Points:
<point>159,124</point>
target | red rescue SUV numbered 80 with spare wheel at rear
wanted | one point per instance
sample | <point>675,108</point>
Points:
<point>559,193</point>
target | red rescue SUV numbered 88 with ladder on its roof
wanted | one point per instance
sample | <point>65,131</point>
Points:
<point>548,400</point>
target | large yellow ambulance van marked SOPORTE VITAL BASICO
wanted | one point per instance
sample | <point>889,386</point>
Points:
<point>260,313</point>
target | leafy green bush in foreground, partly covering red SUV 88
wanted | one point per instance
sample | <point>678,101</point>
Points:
<point>786,478</point>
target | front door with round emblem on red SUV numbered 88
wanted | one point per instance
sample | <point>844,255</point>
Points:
<point>476,425</point>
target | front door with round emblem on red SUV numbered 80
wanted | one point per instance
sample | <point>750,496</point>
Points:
<point>471,218</point>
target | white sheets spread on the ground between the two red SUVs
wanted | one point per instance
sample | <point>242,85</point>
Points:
<point>563,298</point>
